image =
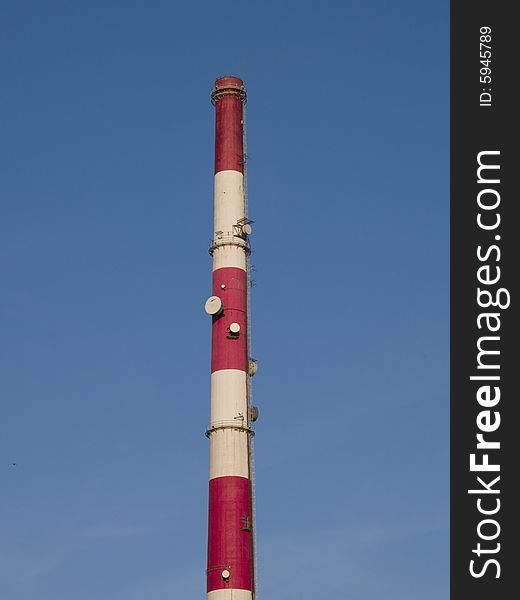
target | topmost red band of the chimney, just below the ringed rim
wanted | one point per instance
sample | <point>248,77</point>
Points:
<point>229,148</point>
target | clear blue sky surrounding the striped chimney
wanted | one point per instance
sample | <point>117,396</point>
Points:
<point>106,190</point>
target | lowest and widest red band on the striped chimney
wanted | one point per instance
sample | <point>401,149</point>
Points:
<point>229,534</point>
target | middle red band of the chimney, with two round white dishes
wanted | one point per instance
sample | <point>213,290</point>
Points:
<point>229,351</point>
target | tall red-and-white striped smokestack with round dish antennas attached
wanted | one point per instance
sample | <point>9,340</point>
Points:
<point>230,572</point>
